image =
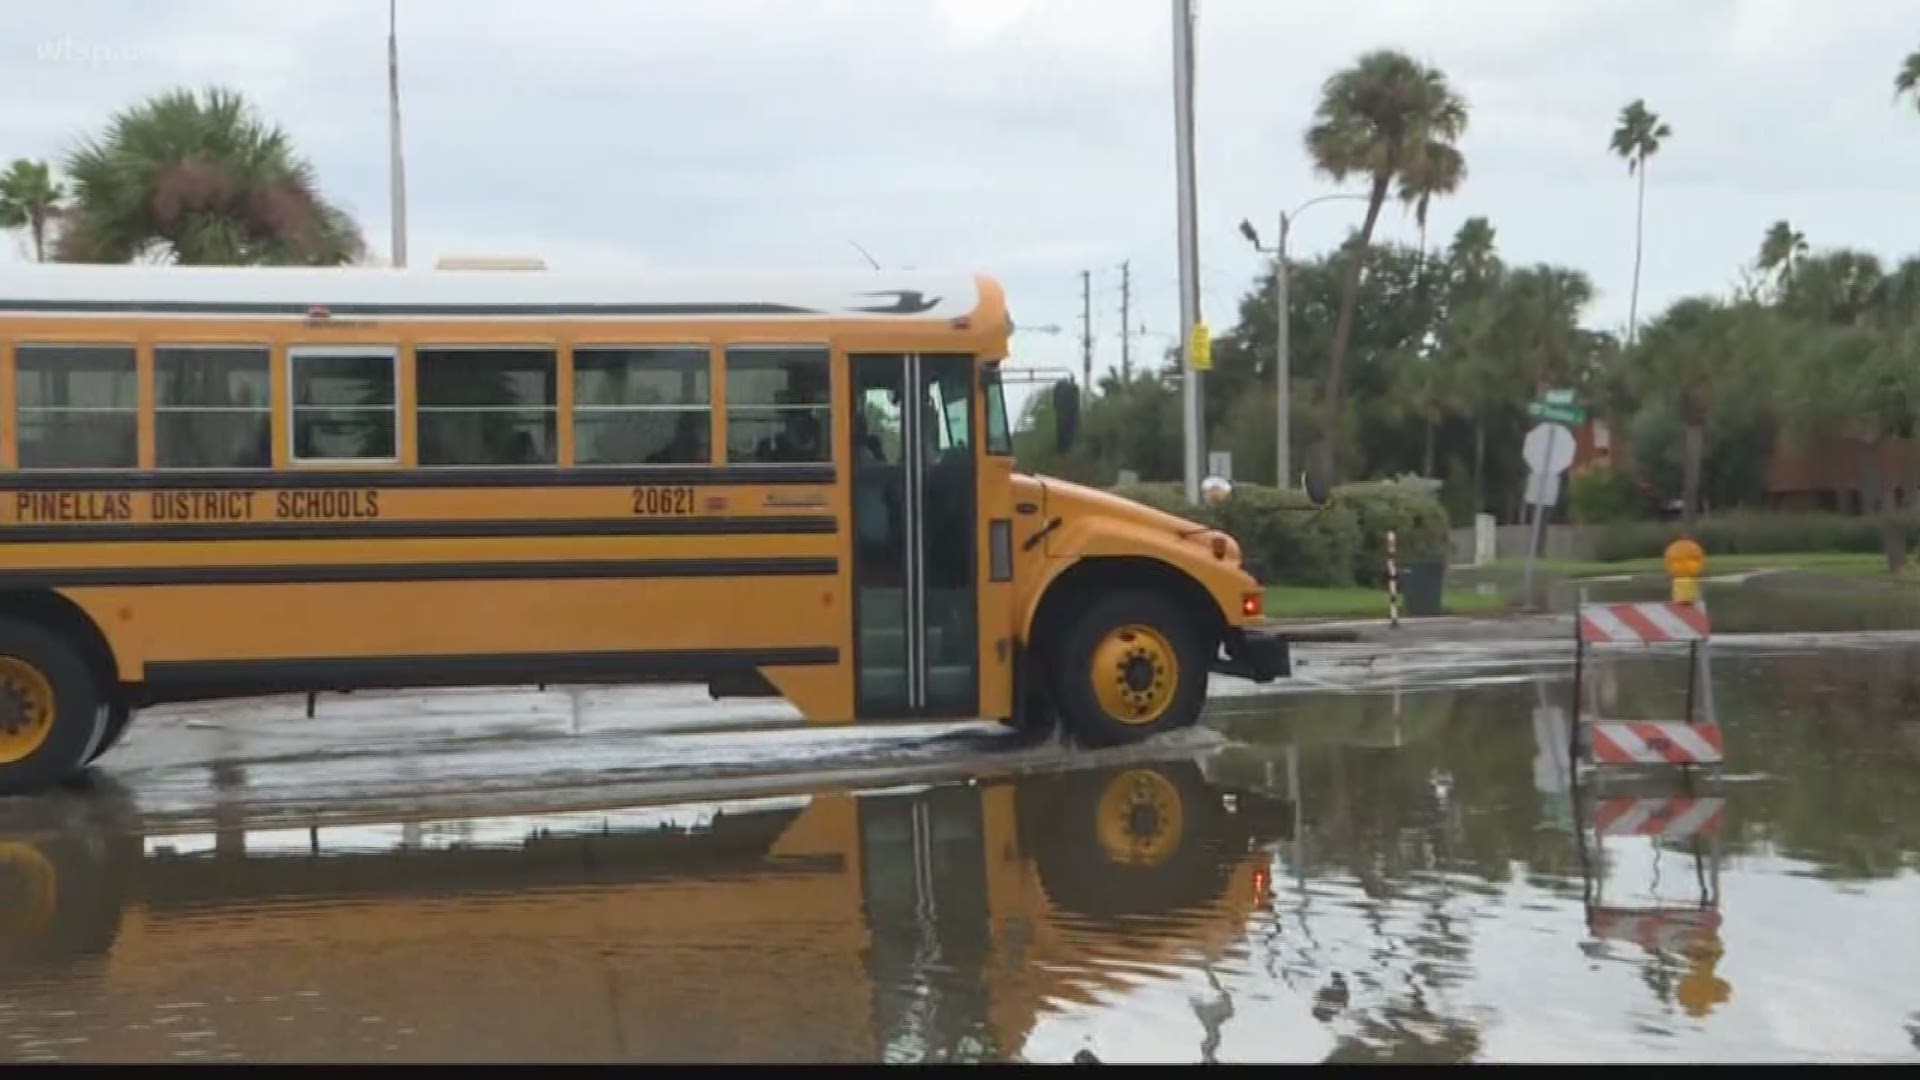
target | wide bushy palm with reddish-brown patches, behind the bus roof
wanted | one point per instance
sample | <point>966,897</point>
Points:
<point>201,180</point>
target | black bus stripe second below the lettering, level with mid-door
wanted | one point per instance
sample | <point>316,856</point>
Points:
<point>72,577</point>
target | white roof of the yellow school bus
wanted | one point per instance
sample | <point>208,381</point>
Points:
<point>437,295</point>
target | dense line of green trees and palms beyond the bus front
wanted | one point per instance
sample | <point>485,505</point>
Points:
<point>1414,360</point>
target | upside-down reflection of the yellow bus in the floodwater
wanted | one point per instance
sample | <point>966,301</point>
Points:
<point>924,923</point>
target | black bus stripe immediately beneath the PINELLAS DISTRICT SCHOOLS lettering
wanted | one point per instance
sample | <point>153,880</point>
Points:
<point>197,531</point>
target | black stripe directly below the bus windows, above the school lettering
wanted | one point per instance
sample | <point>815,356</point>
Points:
<point>276,479</point>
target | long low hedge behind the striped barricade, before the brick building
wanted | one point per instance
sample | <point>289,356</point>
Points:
<point>1752,533</point>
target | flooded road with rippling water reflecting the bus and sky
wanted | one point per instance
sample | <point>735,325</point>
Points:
<point>1337,873</point>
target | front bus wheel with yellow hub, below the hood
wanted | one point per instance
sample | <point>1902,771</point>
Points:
<point>1132,666</point>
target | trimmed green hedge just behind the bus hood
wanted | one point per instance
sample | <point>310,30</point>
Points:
<point>1287,541</point>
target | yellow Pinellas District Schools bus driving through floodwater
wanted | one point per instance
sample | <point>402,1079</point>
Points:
<point>243,481</point>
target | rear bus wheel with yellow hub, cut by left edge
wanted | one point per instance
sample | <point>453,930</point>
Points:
<point>53,712</point>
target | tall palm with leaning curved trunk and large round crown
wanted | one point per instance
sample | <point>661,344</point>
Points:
<point>1381,120</point>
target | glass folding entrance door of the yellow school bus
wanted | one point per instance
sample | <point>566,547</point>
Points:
<point>917,645</point>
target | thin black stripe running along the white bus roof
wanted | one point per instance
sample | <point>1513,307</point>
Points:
<point>402,310</point>
